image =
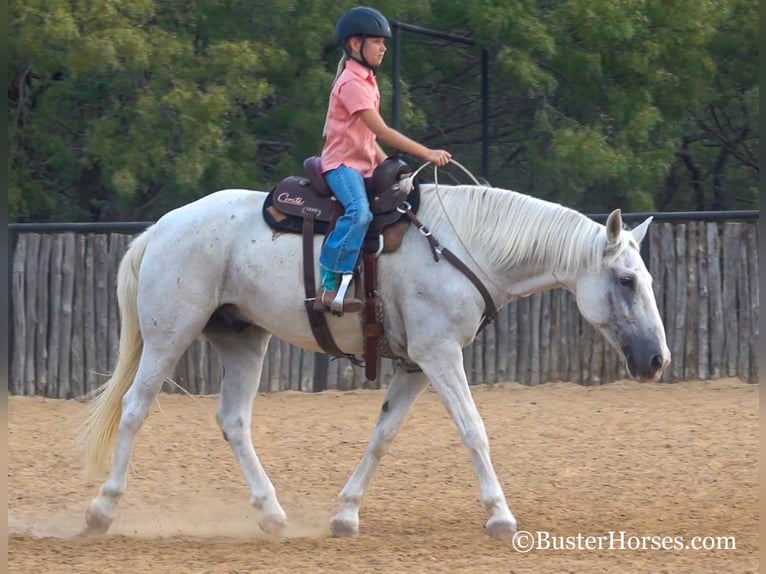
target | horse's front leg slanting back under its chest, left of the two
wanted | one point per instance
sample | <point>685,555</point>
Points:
<point>402,392</point>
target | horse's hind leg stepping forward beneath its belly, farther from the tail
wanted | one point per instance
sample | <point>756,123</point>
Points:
<point>242,358</point>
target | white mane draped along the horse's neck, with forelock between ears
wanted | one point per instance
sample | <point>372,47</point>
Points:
<point>511,228</point>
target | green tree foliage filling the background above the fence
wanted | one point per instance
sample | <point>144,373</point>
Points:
<point>124,109</point>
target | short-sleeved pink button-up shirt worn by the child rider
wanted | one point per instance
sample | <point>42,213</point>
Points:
<point>348,141</point>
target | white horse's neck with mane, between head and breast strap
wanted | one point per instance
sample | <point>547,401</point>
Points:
<point>519,245</point>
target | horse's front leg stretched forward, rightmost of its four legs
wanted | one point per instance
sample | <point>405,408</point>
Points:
<point>444,368</point>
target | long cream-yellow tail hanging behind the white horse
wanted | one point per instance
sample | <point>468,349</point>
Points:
<point>99,431</point>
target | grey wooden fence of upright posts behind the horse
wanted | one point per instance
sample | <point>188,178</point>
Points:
<point>66,322</point>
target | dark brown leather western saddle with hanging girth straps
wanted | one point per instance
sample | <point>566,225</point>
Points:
<point>305,205</point>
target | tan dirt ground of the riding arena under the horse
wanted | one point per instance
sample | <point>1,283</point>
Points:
<point>650,460</point>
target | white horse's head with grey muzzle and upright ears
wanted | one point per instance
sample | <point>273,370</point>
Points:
<point>617,298</point>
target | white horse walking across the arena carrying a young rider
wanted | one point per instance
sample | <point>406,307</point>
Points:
<point>217,251</point>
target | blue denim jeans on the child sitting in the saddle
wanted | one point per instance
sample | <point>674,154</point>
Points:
<point>342,246</point>
